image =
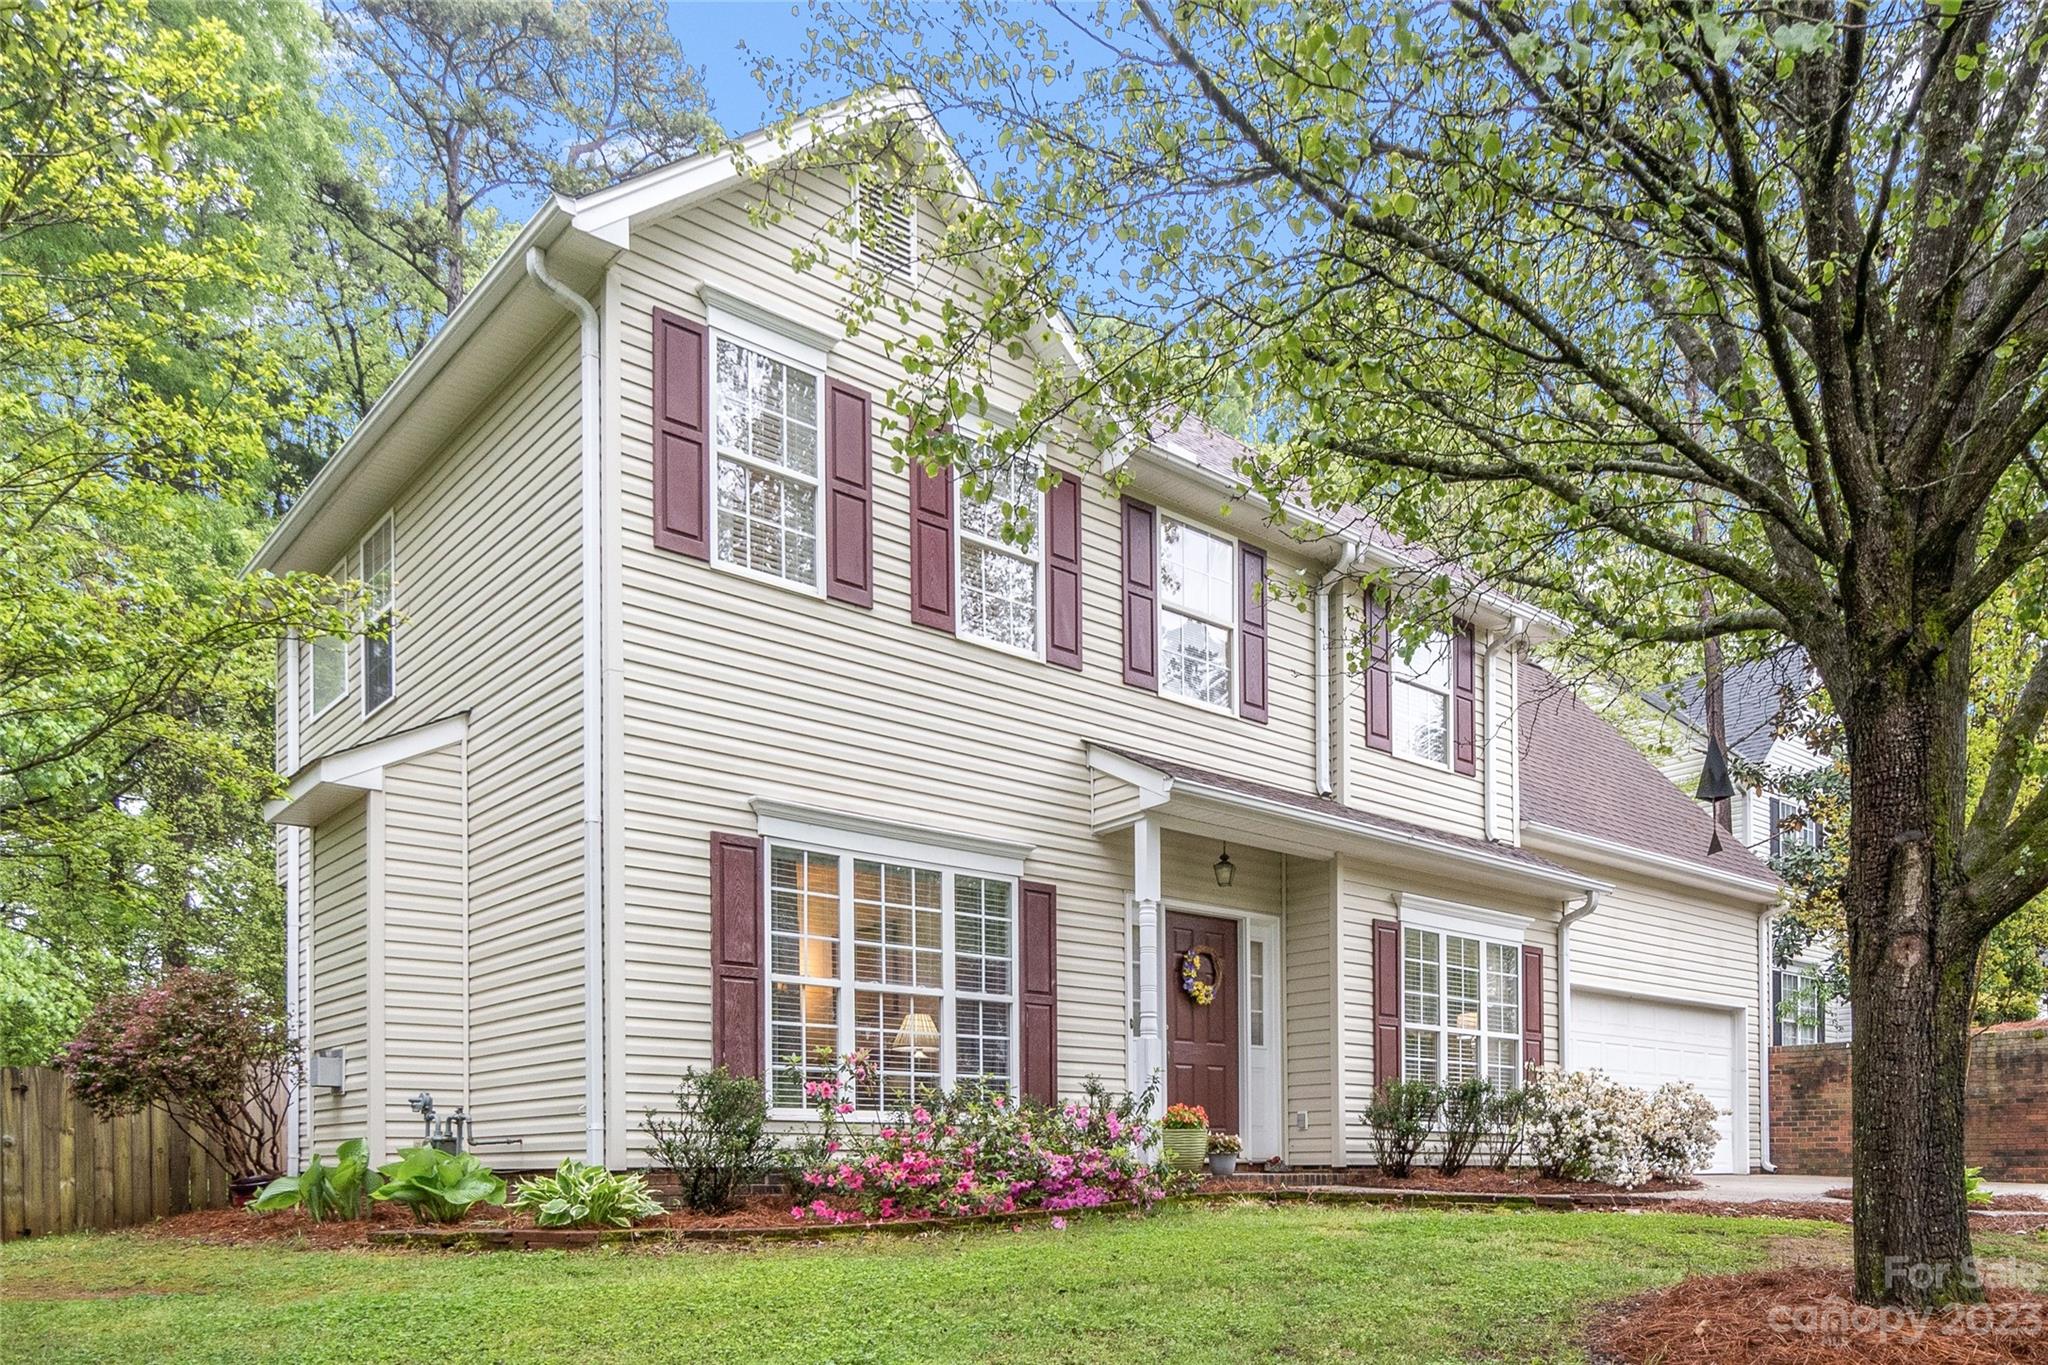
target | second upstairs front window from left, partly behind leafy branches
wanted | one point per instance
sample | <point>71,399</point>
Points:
<point>1000,558</point>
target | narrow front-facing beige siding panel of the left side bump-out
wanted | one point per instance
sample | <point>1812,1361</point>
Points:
<point>425,936</point>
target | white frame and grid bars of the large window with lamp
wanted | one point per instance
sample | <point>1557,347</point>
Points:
<point>851,842</point>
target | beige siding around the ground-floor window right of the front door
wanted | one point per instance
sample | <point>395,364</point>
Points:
<point>1367,893</point>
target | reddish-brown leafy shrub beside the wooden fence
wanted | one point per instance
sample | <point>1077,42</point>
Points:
<point>202,1047</point>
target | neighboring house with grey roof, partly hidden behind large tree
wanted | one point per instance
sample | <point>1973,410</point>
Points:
<point>1760,703</point>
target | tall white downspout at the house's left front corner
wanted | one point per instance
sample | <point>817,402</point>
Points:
<point>593,664</point>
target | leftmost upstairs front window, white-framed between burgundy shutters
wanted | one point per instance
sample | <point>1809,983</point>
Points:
<point>767,464</point>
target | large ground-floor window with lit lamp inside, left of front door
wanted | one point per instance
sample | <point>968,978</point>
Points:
<point>908,963</point>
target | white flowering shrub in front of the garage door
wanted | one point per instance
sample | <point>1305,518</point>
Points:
<point>1586,1127</point>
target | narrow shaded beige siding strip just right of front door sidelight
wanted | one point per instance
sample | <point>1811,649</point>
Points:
<point>1312,1016</point>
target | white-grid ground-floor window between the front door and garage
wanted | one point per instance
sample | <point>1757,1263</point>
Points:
<point>1461,1006</point>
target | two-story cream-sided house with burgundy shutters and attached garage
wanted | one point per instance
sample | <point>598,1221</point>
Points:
<point>710,736</point>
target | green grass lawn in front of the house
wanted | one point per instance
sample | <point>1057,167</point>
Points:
<point>1189,1284</point>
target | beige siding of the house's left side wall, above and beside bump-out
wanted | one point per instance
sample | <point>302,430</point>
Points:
<point>488,597</point>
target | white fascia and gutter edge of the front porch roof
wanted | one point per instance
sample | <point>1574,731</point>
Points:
<point>1134,787</point>
